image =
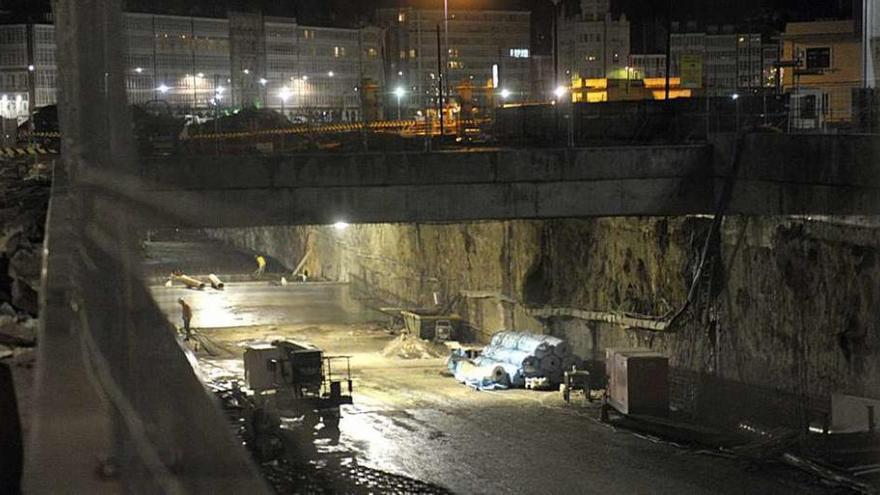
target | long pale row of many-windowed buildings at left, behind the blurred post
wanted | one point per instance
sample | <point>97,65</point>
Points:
<point>199,65</point>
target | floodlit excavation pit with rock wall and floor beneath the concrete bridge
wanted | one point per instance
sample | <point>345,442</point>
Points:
<point>366,292</point>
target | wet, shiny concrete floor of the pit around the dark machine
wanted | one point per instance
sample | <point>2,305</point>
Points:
<point>409,418</point>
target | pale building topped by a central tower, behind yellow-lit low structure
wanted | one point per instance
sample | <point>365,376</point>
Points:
<point>593,44</point>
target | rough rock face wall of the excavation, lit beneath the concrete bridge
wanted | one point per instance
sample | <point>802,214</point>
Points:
<point>786,311</point>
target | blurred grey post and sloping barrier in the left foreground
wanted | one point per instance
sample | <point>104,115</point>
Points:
<point>118,406</point>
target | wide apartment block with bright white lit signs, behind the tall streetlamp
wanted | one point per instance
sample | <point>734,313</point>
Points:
<point>488,53</point>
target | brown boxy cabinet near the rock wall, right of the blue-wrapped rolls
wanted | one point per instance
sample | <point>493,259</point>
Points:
<point>639,383</point>
